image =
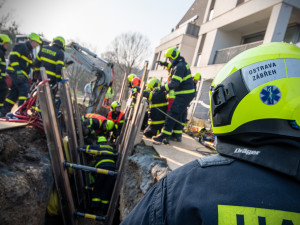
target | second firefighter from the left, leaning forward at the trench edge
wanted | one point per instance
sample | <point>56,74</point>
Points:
<point>20,62</point>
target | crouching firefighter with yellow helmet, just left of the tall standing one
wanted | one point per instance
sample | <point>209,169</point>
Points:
<point>157,106</point>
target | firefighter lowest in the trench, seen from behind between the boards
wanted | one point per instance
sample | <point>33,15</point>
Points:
<point>102,184</point>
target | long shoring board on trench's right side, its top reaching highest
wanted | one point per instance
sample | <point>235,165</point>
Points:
<point>127,147</point>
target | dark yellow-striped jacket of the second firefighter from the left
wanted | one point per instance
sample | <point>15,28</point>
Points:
<point>20,59</point>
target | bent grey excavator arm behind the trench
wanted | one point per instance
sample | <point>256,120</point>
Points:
<point>85,60</point>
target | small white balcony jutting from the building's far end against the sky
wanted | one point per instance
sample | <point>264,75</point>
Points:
<point>190,29</point>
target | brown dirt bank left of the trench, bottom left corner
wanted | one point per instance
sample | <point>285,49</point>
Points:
<point>25,176</point>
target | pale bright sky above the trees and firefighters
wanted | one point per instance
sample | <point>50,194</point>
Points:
<point>95,23</point>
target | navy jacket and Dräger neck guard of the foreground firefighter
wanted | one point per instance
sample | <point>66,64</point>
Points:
<point>221,190</point>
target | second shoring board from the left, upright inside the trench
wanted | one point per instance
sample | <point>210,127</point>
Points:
<point>66,103</point>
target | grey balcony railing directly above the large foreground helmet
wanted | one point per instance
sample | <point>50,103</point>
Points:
<point>225,54</point>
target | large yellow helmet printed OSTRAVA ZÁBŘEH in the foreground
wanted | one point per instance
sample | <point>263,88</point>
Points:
<point>258,91</point>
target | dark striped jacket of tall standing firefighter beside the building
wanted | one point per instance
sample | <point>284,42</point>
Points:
<point>182,80</point>
